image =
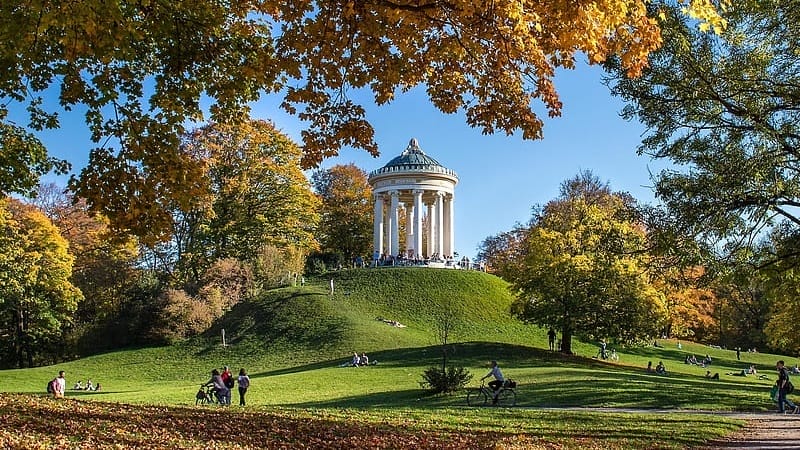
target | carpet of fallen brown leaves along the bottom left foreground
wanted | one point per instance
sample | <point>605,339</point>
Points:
<point>36,422</point>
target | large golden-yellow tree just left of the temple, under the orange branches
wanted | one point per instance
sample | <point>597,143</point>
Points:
<point>257,196</point>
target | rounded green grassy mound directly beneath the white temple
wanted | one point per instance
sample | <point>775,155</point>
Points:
<point>310,324</point>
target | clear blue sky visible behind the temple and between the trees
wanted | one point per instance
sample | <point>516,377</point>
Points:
<point>500,177</point>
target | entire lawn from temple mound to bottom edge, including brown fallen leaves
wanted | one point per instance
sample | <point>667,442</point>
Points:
<point>293,340</point>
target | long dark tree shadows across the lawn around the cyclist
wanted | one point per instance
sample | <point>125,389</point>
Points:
<point>550,379</point>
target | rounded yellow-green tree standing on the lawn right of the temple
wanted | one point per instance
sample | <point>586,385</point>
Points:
<point>583,271</point>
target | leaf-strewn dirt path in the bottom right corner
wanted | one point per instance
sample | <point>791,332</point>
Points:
<point>767,431</point>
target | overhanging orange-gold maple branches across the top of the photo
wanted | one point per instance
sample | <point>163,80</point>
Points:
<point>141,70</point>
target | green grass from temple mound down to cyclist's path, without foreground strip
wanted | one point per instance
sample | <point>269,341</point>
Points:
<point>292,341</point>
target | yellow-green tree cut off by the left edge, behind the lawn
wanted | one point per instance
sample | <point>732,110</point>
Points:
<point>37,299</point>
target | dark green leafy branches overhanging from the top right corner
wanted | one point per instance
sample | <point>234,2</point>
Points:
<point>724,110</point>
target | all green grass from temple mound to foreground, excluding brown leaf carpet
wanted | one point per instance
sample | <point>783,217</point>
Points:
<point>292,342</point>
